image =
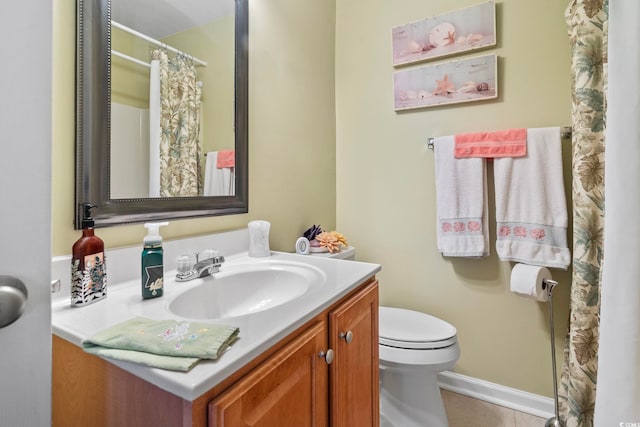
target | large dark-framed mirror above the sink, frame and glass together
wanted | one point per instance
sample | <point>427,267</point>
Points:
<point>108,86</point>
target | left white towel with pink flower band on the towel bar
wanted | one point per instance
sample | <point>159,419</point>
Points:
<point>461,202</point>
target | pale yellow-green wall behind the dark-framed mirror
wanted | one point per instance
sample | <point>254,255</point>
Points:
<point>291,127</point>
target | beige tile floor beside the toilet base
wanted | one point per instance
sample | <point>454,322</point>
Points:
<point>464,411</point>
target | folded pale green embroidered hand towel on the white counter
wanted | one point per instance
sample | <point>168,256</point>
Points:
<point>167,344</point>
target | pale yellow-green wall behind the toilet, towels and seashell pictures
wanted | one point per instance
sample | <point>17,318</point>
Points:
<point>385,177</point>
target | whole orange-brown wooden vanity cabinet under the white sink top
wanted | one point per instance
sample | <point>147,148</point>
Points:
<point>291,384</point>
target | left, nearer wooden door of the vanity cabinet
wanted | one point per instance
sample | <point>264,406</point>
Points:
<point>290,389</point>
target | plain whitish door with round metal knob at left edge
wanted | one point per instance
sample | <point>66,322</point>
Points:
<point>25,208</point>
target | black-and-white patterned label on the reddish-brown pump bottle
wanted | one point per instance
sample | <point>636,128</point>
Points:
<point>88,284</point>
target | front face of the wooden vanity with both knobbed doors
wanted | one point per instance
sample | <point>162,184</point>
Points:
<point>291,388</point>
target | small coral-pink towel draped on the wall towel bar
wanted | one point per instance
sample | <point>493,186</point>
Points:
<point>506,143</point>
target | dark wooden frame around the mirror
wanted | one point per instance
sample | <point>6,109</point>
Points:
<point>93,113</point>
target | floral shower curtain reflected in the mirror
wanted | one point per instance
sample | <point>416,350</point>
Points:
<point>180,146</point>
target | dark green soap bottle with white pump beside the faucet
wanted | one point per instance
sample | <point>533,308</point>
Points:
<point>152,265</point>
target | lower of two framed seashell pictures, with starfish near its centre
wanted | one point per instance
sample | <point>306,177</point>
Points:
<point>462,80</point>
